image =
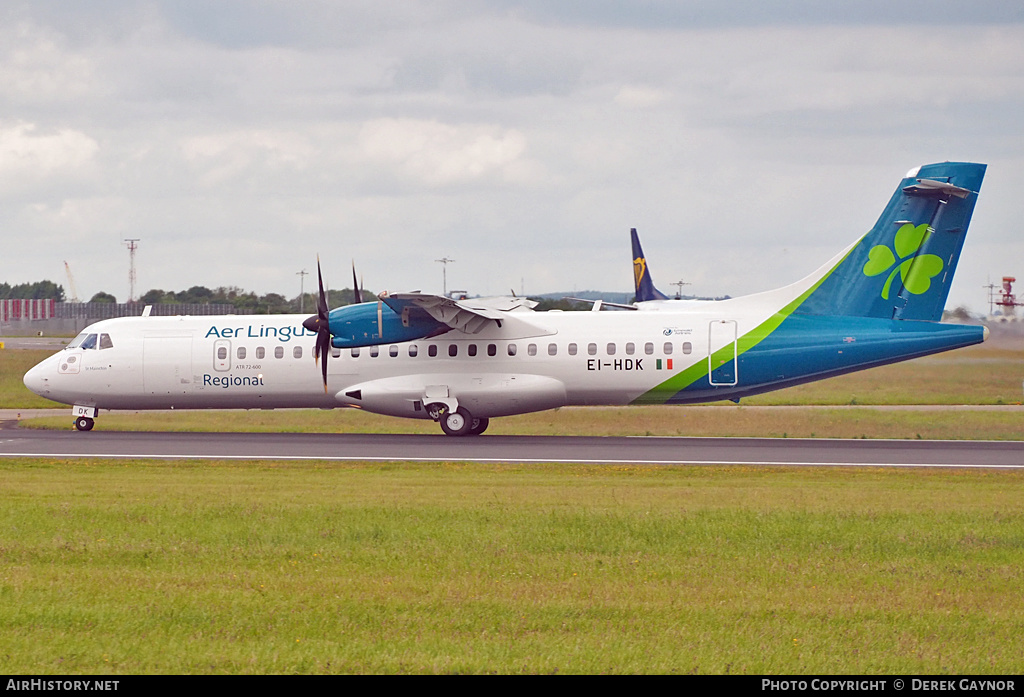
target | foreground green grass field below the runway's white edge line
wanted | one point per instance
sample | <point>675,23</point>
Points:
<point>115,568</point>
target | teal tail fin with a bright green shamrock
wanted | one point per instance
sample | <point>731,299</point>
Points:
<point>904,269</point>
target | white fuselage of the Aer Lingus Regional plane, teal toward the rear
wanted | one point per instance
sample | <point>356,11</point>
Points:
<point>697,356</point>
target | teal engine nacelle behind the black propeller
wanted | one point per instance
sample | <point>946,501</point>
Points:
<point>375,324</point>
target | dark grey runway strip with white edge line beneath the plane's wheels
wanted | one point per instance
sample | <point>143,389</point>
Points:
<point>612,451</point>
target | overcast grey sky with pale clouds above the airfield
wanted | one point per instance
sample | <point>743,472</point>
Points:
<point>748,141</point>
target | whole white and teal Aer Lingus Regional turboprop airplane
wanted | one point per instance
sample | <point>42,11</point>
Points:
<point>463,363</point>
